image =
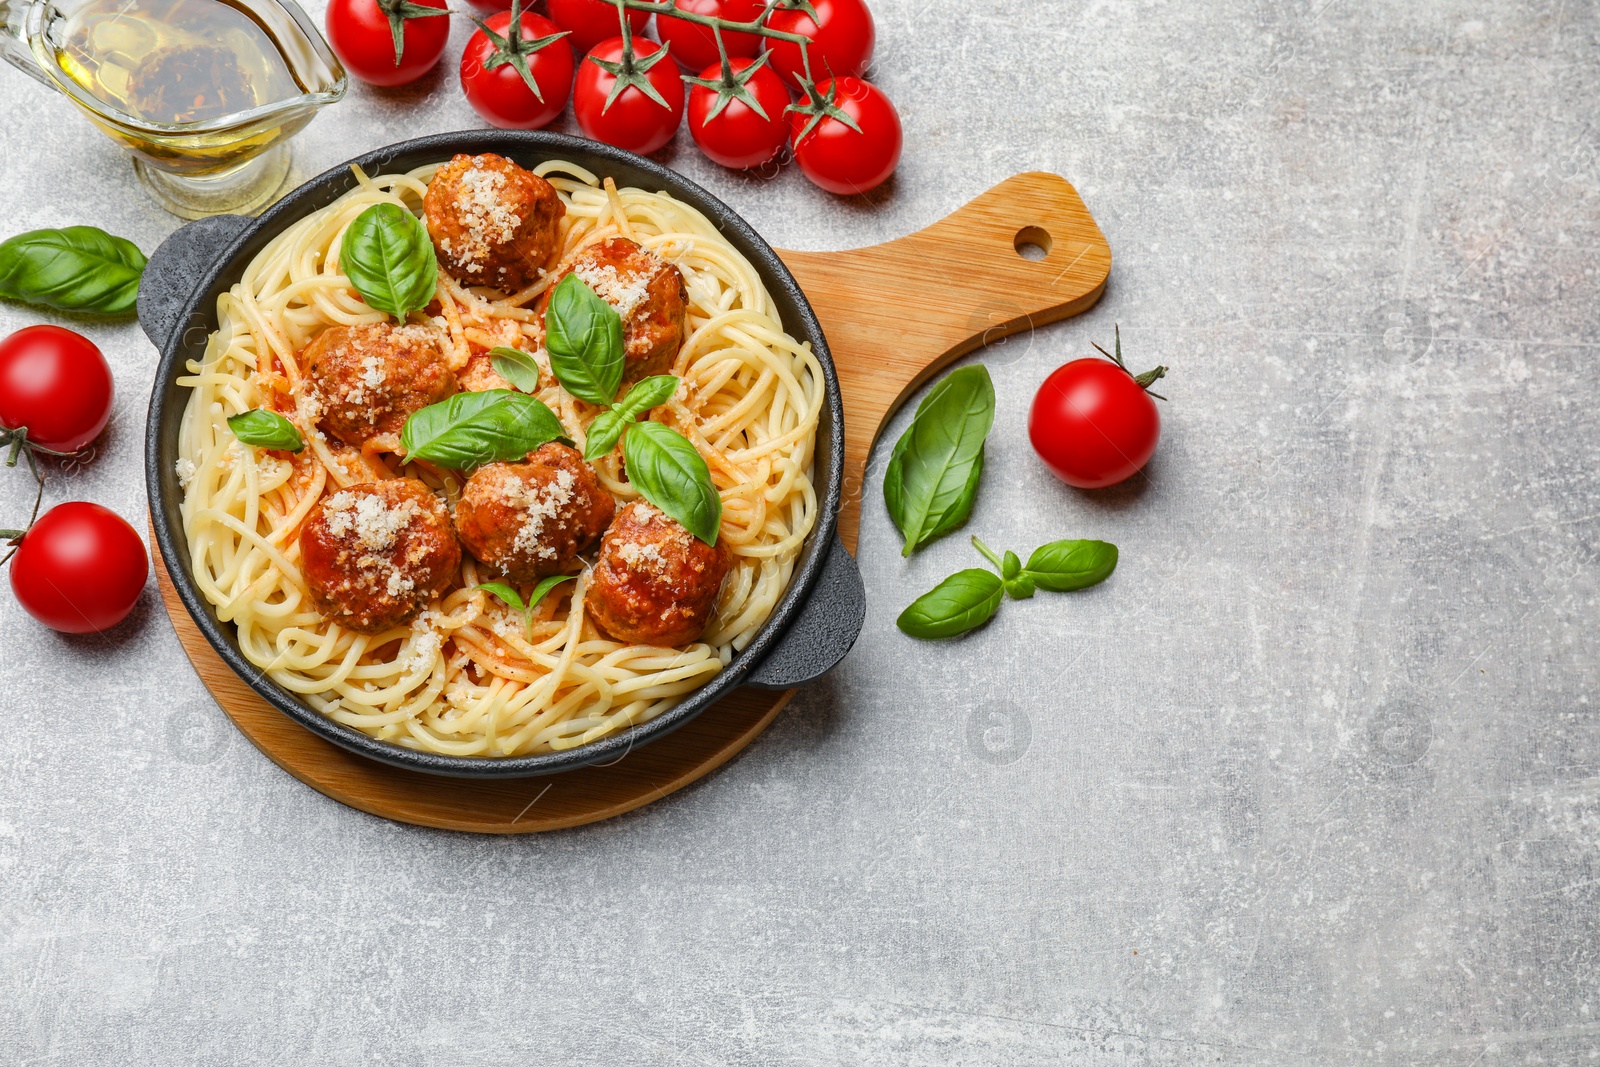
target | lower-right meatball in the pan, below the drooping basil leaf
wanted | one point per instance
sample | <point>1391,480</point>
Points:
<point>655,583</point>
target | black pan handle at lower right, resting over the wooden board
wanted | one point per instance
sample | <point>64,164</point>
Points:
<point>823,636</point>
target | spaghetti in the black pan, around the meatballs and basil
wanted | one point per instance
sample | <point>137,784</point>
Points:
<point>471,677</point>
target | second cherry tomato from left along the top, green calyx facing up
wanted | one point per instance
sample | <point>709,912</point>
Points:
<point>502,95</point>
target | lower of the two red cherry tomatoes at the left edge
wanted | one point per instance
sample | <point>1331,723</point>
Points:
<point>81,569</point>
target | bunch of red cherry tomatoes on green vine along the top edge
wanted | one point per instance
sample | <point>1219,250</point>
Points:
<point>746,102</point>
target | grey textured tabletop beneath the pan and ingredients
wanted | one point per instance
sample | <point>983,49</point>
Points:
<point>1314,780</point>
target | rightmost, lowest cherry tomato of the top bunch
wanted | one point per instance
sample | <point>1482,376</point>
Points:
<point>834,156</point>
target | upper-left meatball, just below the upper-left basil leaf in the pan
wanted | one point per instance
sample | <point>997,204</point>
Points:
<point>369,380</point>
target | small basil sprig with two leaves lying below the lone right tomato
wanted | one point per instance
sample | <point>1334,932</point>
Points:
<point>969,599</point>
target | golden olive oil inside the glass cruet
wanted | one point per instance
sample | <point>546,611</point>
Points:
<point>174,62</point>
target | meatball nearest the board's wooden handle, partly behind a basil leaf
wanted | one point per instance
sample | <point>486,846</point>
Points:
<point>650,297</point>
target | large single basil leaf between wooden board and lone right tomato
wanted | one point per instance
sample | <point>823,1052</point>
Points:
<point>932,479</point>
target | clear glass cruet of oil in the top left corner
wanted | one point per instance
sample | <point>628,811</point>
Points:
<point>204,94</point>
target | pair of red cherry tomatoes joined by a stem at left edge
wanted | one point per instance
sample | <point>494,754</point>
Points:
<point>81,567</point>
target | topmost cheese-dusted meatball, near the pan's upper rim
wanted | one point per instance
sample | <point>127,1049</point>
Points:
<point>492,222</point>
